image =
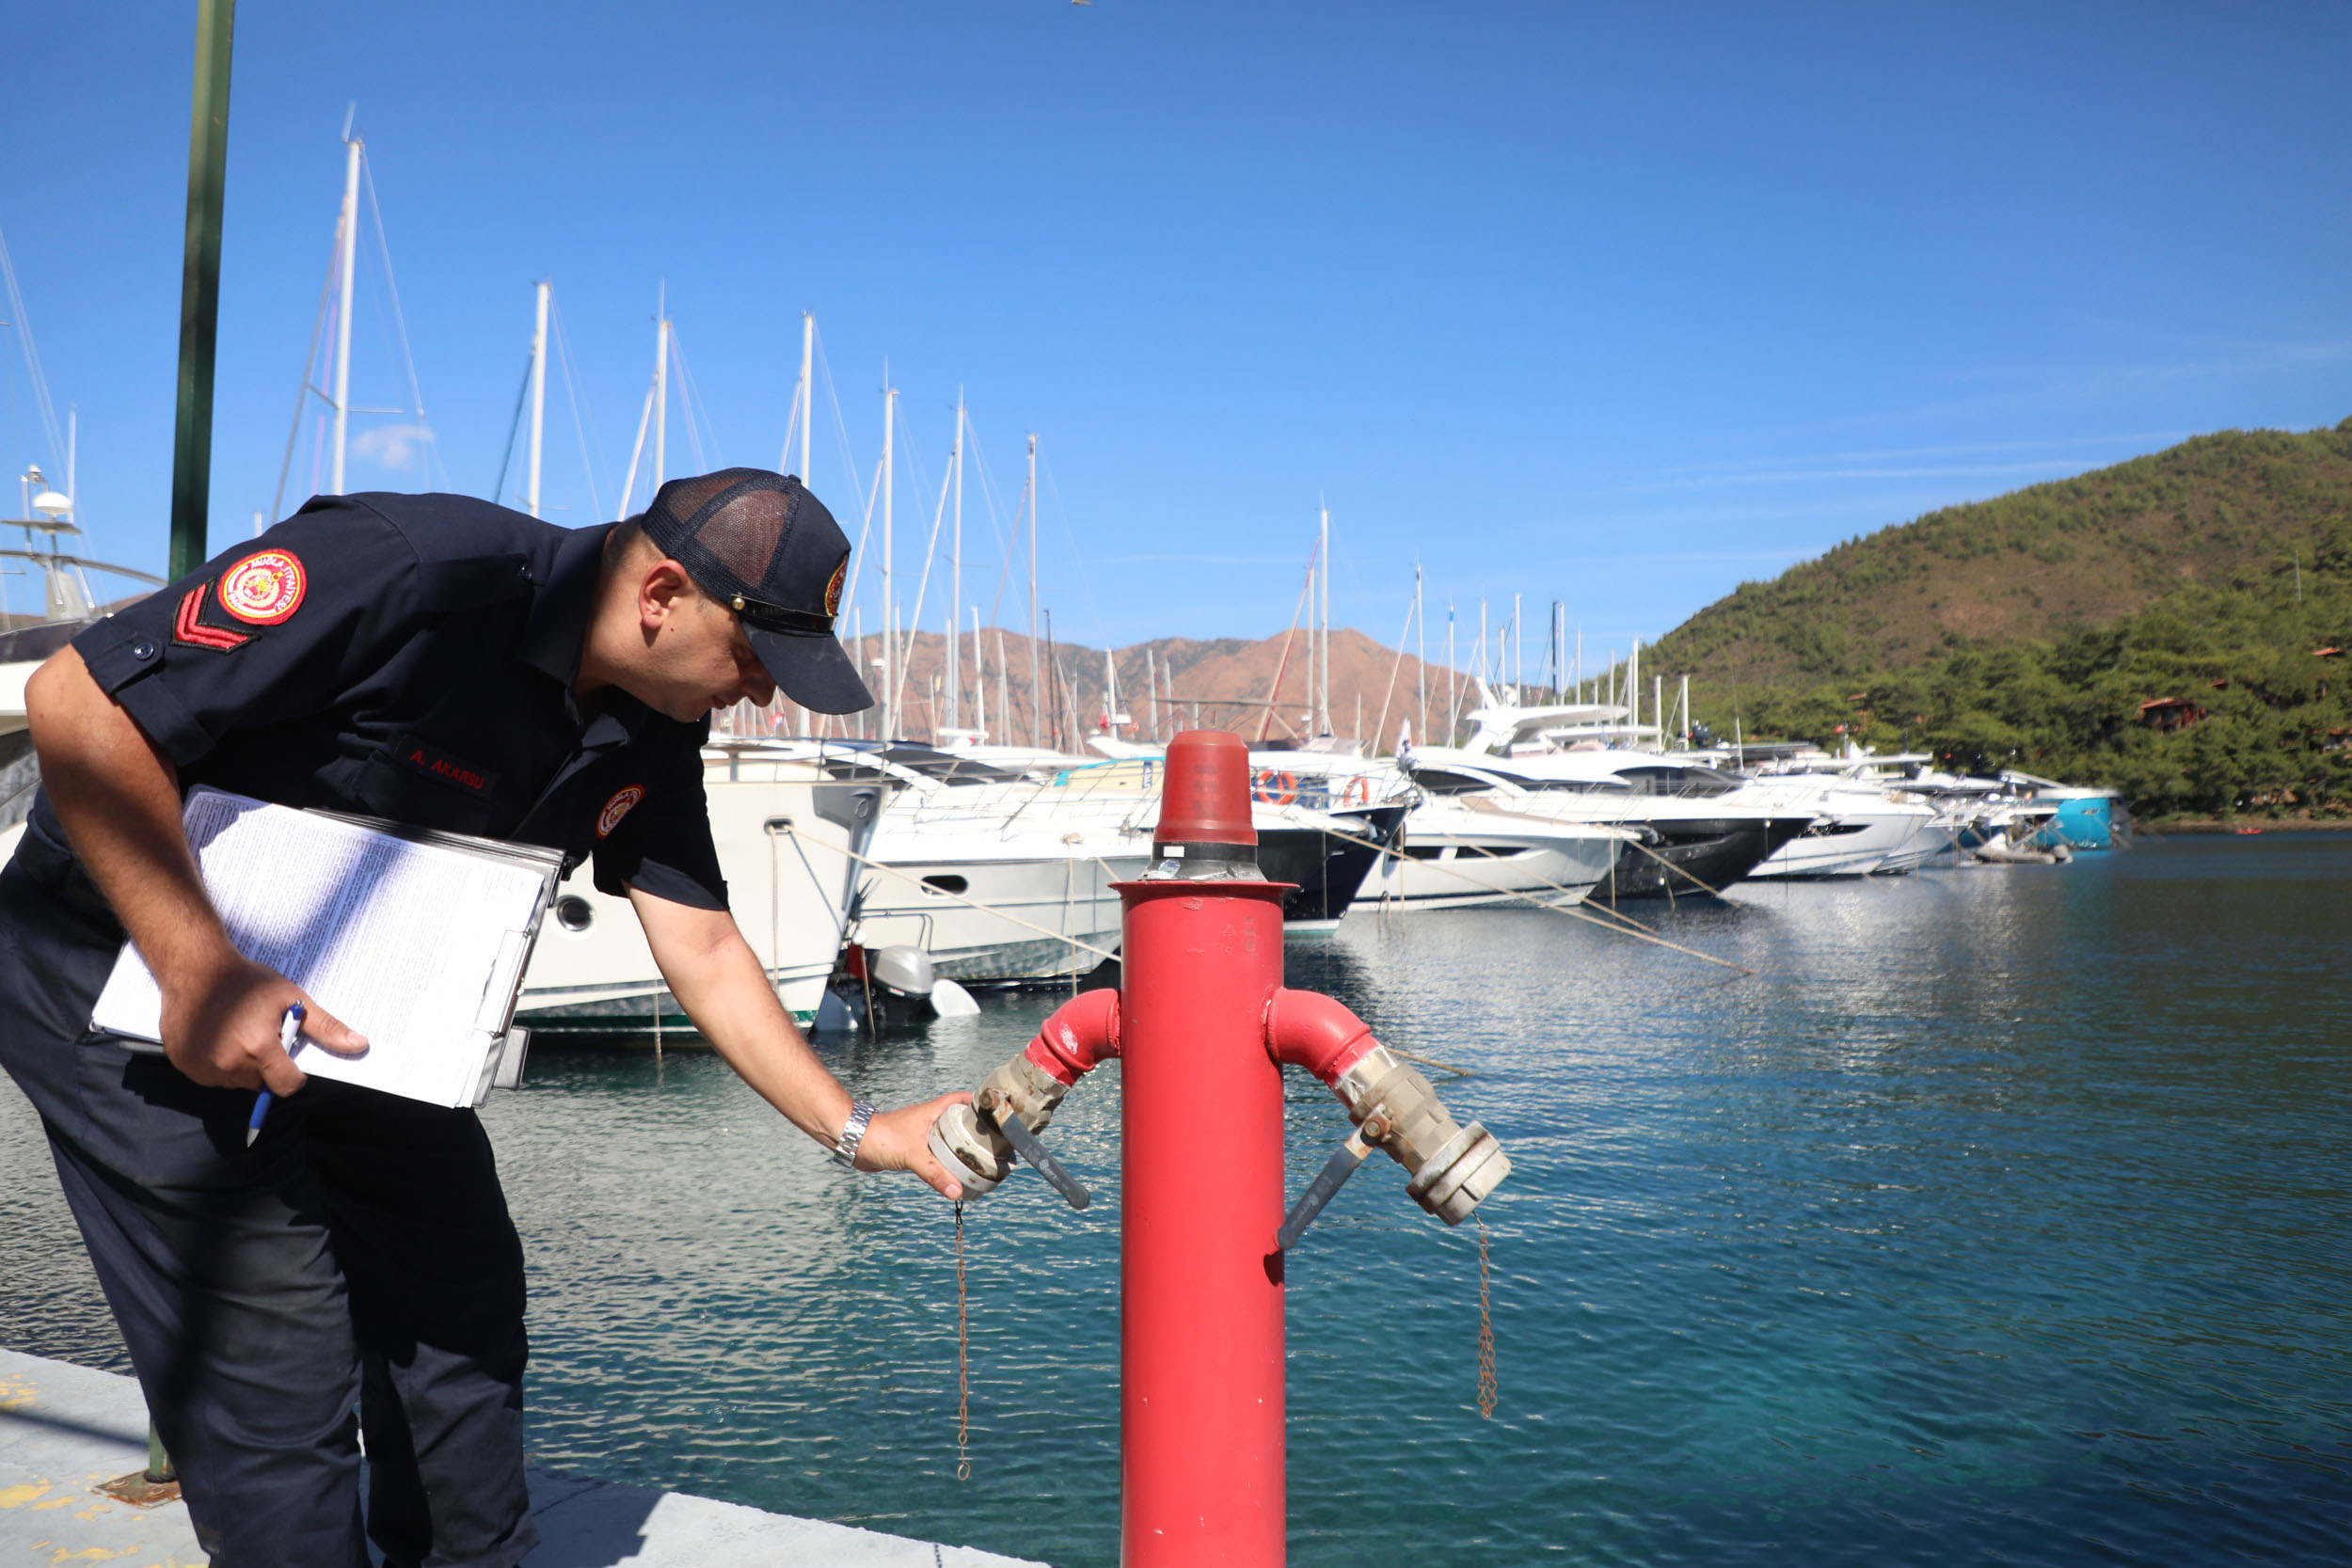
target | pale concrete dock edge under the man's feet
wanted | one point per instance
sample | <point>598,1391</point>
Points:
<point>65,1430</point>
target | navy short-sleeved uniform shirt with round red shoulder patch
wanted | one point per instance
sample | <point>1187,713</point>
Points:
<point>413,657</point>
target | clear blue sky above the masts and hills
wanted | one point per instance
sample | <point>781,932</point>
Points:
<point>1598,304</point>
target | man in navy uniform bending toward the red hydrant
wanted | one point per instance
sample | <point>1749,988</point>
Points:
<point>450,664</point>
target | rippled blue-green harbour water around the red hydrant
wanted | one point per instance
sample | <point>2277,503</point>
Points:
<point>1998,1219</point>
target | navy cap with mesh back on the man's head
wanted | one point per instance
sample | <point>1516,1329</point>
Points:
<point>770,551</point>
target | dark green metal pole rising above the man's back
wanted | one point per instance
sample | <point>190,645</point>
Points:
<point>201,286</point>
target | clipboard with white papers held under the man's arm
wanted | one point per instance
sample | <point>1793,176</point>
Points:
<point>413,937</point>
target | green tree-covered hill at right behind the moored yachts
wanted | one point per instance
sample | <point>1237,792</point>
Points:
<point>2029,631</point>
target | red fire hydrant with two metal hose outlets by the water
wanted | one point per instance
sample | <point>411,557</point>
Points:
<point>1203,1028</point>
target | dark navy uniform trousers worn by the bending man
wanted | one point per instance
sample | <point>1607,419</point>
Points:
<point>352,1273</point>
